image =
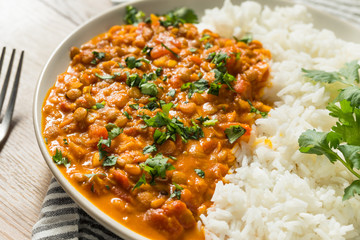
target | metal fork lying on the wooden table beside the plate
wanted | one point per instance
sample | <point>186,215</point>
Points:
<point>5,123</point>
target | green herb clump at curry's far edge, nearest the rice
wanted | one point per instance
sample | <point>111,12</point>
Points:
<point>179,16</point>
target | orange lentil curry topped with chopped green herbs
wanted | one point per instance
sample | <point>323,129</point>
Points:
<point>144,120</point>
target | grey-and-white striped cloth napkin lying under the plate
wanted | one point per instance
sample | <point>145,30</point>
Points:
<point>61,218</point>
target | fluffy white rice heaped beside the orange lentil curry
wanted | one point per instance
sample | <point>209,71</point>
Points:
<point>277,192</point>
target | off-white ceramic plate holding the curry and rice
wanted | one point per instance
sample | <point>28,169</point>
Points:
<point>59,61</point>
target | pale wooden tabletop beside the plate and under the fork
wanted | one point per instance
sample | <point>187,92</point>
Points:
<point>38,27</point>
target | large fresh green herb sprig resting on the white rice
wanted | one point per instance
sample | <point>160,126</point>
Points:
<point>343,137</point>
